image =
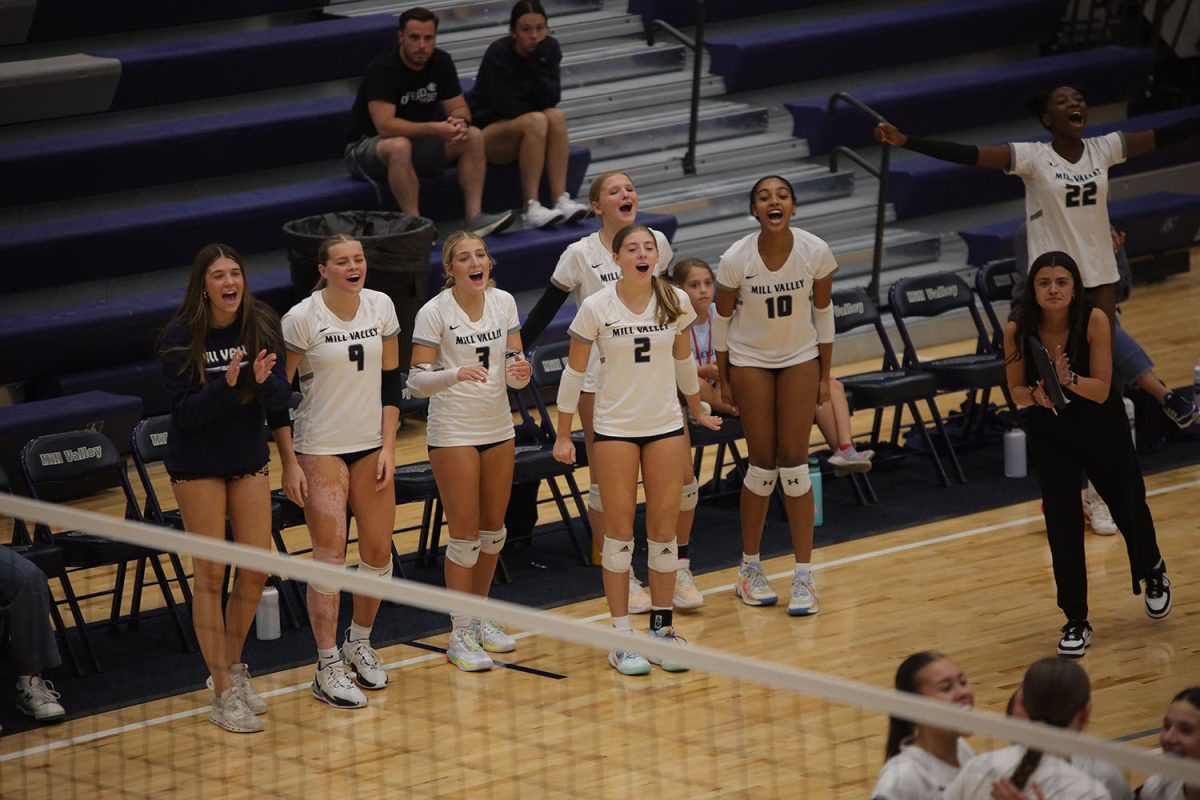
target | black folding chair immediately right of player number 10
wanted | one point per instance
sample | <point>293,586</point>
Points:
<point>891,387</point>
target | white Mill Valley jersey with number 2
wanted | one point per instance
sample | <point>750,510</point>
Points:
<point>637,389</point>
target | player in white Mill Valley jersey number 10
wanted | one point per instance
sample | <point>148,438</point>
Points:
<point>773,333</point>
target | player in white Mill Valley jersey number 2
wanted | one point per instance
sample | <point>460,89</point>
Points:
<point>640,328</point>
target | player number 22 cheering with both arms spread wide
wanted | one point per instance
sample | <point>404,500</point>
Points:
<point>1066,182</point>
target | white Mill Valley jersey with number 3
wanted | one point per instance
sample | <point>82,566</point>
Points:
<point>469,413</point>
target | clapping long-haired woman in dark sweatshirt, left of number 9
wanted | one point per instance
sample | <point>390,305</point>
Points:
<point>221,369</point>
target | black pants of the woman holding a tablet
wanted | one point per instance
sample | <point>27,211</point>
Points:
<point>1060,449</point>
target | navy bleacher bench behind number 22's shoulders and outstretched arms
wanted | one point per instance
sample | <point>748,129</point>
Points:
<point>921,187</point>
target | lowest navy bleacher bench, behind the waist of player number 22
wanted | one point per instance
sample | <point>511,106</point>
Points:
<point>1154,224</point>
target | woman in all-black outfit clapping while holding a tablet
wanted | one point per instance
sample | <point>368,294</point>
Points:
<point>1091,434</point>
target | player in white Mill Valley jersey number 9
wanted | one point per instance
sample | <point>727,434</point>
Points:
<point>343,340</point>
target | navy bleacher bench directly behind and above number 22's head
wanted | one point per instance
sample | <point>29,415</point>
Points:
<point>977,98</point>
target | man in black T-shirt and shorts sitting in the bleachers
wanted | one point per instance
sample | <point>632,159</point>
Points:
<point>394,134</point>
